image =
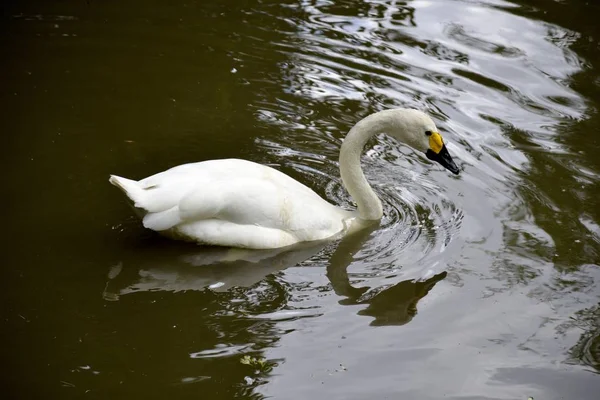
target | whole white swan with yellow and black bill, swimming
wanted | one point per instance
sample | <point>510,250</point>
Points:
<point>239,203</point>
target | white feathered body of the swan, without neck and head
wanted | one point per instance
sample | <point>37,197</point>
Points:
<point>234,203</point>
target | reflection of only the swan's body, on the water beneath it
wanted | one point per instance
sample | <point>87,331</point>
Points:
<point>178,267</point>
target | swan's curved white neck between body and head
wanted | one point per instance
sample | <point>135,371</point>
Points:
<point>353,178</point>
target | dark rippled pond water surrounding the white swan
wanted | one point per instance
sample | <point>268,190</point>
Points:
<point>482,286</point>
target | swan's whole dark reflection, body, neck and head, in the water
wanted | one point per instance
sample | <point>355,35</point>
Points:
<point>182,267</point>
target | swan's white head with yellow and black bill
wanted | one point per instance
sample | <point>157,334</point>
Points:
<point>418,130</point>
